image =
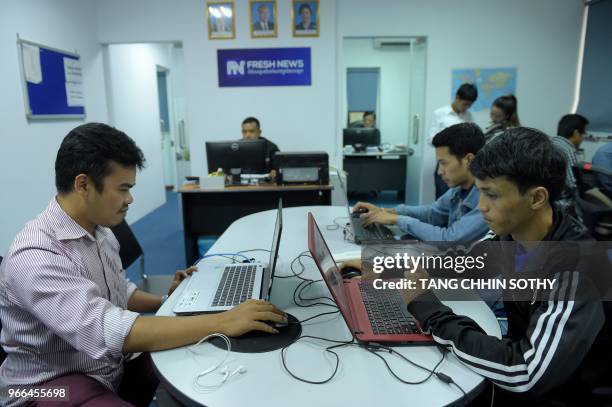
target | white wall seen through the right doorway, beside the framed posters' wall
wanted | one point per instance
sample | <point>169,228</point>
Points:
<point>394,86</point>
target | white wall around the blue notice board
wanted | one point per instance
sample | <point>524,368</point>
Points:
<point>27,150</point>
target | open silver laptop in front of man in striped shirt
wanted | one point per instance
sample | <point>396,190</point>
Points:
<point>219,288</point>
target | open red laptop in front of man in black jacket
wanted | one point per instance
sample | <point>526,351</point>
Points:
<point>372,315</point>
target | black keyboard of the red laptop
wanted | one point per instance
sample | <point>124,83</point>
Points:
<point>385,312</point>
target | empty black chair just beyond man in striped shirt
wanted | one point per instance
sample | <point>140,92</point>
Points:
<point>130,251</point>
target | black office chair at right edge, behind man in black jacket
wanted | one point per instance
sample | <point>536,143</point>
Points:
<point>593,204</point>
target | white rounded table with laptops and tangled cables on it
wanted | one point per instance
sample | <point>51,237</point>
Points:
<point>362,379</point>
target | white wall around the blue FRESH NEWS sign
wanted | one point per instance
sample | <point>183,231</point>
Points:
<point>293,117</point>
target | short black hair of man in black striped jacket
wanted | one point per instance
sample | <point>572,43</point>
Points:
<point>526,157</point>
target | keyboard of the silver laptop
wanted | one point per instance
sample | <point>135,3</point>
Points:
<point>235,286</point>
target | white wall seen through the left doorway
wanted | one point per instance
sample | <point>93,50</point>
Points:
<point>133,107</point>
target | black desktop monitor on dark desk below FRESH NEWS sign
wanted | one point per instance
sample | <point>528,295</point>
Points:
<point>247,155</point>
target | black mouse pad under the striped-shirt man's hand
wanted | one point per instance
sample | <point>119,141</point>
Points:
<point>258,342</point>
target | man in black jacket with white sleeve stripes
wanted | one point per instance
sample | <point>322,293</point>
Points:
<point>556,351</point>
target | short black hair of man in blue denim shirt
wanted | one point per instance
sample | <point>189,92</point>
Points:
<point>461,139</point>
